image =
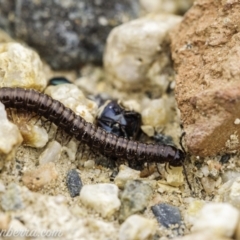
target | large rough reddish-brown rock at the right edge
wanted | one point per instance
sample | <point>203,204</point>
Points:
<point>206,52</point>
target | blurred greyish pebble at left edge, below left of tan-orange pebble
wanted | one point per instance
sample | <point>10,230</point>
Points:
<point>11,198</point>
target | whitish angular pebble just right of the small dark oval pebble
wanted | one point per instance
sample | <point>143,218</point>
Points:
<point>103,198</point>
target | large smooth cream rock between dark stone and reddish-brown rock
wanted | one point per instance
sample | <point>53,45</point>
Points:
<point>137,52</point>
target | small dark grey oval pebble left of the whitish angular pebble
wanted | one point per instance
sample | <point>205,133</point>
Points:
<point>74,183</point>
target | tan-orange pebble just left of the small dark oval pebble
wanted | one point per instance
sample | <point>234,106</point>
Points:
<point>39,177</point>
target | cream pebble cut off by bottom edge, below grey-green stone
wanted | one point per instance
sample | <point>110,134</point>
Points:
<point>137,228</point>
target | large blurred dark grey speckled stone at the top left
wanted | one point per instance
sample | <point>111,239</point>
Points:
<point>66,33</point>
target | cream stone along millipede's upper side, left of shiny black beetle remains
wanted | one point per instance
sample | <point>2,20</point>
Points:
<point>71,96</point>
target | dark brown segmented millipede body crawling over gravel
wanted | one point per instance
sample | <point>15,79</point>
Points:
<point>95,137</point>
